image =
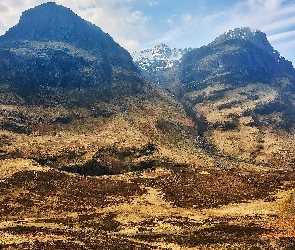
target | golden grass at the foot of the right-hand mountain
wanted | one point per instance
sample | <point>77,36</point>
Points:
<point>262,145</point>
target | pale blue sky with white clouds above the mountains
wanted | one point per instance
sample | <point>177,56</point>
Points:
<point>141,24</point>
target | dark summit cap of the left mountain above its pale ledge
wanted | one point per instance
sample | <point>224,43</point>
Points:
<point>50,22</point>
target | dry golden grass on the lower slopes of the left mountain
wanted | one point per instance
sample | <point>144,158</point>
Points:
<point>76,142</point>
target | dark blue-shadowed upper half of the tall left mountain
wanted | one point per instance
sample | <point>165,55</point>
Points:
<point>52,46</point>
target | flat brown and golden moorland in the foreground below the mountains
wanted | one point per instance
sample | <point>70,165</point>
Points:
<point>179,207</point>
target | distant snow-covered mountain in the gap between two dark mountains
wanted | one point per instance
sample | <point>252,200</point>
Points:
<point>154,62</point>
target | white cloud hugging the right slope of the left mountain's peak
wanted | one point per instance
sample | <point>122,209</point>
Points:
<point>125,25</point>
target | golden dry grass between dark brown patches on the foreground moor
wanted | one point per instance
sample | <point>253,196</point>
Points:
<point>150,219</point>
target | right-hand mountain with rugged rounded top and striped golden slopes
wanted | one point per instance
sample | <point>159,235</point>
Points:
<point>241,92</point>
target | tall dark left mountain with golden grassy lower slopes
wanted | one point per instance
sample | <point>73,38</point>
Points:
<point>62,78</point>
